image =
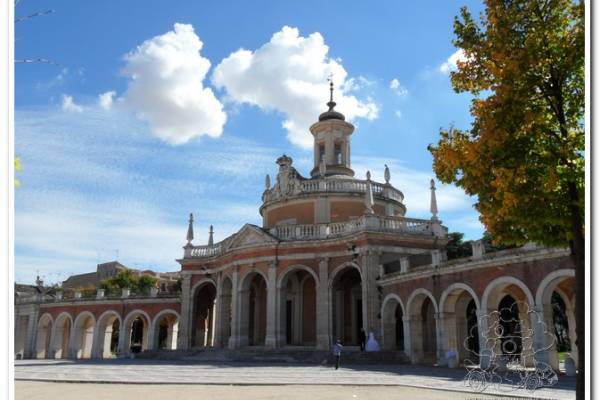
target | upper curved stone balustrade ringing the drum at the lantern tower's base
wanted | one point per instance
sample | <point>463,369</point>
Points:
<point>340,186</point>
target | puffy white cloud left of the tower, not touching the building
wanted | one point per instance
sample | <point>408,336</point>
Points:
<point>166,87</point>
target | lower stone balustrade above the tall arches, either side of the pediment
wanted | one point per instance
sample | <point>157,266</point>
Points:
<point>372,223</point>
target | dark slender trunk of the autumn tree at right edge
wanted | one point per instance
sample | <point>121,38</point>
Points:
<point>578,255</point>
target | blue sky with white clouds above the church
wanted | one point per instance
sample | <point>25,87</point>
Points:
<point>157,109</point>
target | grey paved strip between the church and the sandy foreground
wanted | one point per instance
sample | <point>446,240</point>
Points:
<point>173,372</point>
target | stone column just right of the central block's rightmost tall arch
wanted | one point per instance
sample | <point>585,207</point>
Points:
<point>371,296</point>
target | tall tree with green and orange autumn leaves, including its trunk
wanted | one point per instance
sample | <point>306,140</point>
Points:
<point>524,153</point>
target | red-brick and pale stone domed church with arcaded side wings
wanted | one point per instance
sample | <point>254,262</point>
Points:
<point>335,254</point>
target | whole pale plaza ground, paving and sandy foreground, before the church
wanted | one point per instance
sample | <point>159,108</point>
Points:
<point>149,379</point>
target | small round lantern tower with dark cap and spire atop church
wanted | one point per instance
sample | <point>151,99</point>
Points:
<point>332,142</point>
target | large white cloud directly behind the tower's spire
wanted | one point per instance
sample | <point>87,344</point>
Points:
<point>289,74</point>
